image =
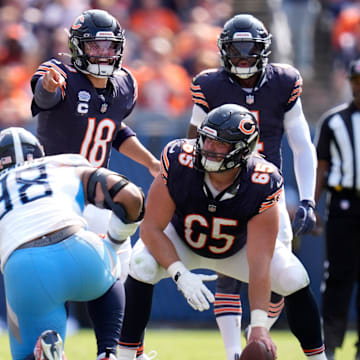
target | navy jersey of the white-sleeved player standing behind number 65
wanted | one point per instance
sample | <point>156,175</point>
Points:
<point>281,86</point>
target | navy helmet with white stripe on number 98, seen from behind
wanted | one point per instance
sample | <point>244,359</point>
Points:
<point>18,145</point>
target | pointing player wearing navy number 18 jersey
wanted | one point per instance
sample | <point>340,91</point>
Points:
<point>80,107</point>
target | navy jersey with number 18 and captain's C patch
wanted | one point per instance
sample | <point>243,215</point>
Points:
<point>84,122</point>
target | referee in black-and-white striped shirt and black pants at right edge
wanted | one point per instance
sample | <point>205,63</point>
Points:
<point>338,150</point>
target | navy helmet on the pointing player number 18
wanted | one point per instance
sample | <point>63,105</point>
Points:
<point>96,43</point>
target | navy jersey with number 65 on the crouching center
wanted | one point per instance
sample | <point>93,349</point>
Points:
<point>213,227</point>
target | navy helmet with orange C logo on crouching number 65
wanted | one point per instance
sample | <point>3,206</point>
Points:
<point>232,124</point>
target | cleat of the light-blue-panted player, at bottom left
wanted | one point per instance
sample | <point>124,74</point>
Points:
<point>49,346</point>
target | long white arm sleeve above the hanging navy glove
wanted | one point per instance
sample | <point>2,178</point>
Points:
<point>304,154</point>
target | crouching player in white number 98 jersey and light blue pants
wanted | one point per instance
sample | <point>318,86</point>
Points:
<point>49,257</point>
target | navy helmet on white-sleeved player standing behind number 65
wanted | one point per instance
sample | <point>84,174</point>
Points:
<point>244,37</point>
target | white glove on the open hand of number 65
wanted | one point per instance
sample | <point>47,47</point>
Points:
<point>191,285</point>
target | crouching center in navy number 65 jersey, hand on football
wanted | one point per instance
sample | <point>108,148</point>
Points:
<point>215,206</point>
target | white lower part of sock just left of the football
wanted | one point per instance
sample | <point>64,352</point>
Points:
<point>230,330</point>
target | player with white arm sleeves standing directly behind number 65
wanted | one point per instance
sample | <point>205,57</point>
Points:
<point>272,93</point>
